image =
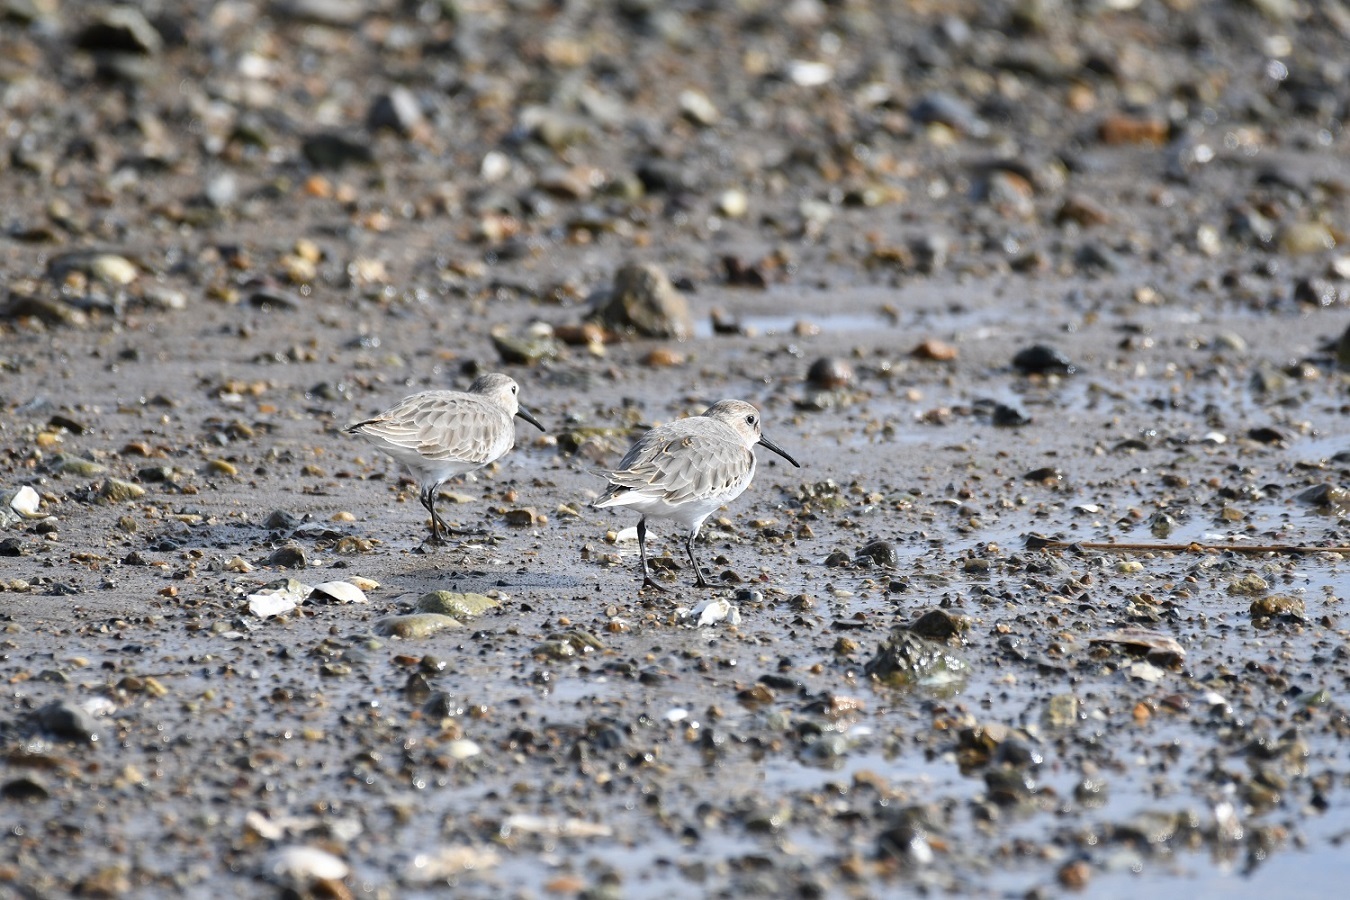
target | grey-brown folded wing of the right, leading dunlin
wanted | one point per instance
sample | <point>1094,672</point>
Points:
<point>681,468</point>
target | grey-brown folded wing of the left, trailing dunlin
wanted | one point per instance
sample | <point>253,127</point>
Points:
<point>442,427</point>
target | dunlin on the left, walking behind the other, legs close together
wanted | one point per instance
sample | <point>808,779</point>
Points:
<point>439,435</point>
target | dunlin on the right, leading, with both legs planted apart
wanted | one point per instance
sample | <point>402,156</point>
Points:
<point>686,470</point>
